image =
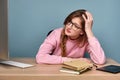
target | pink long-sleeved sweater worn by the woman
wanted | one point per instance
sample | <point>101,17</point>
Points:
<point>51,45</point>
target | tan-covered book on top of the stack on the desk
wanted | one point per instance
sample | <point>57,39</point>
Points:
<point>77,65</point>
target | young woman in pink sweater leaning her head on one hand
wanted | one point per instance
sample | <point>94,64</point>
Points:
<point>71,41</point>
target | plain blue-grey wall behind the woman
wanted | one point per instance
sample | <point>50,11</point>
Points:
<point>30,20</point>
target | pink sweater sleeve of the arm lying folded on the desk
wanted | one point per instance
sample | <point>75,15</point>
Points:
<point>43,55</point>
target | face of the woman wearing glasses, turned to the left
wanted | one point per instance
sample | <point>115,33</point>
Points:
<point>73,29</point>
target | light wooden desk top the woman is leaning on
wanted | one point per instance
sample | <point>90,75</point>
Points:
<point>51,72</point>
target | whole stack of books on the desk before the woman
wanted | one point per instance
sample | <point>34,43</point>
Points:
<point>76,67</point>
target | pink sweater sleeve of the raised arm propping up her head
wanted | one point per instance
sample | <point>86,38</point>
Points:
<point>95,50</point>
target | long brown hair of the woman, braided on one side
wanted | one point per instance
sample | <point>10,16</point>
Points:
<point>82,39</point>
